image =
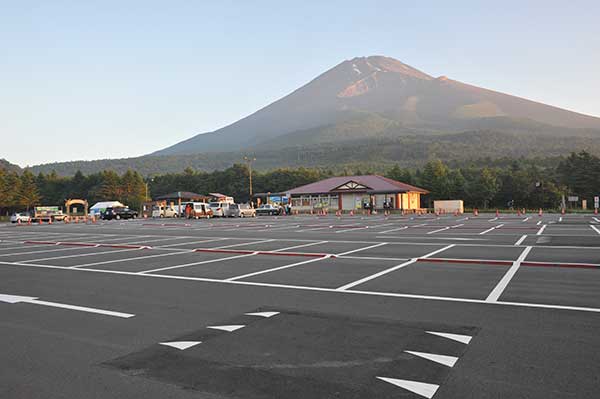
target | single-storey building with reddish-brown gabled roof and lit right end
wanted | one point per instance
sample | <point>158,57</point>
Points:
<point>356,192</point>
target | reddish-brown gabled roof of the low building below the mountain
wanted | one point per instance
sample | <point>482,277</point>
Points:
<point>370,183</point>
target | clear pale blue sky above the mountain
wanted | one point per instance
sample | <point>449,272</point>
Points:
<point>108,79</point>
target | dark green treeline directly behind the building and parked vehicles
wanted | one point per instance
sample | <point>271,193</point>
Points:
<point>521,183</point>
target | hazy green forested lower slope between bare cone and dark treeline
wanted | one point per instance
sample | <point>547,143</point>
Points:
<point>376,154</point>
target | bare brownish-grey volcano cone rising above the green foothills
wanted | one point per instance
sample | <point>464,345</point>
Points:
<point>386,89</point>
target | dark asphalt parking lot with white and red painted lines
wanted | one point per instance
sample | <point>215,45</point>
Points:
<point>356,306</point>
